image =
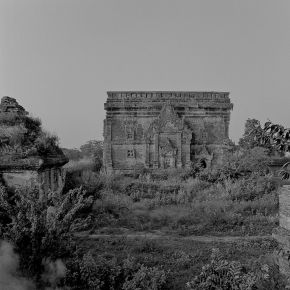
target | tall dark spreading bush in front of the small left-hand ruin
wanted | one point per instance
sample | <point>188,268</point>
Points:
<point>40,226</point>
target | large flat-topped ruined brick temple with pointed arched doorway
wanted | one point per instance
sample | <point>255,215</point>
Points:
<point>165,129</point>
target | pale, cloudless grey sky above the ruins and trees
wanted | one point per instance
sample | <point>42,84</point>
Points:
<point>59,57</point>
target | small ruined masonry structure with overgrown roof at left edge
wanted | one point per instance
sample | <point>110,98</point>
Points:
<point>20,170</point>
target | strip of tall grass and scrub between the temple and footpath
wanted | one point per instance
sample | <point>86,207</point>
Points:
<point>239,199</point>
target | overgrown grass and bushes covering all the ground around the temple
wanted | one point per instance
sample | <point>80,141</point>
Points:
<point>95,231</point>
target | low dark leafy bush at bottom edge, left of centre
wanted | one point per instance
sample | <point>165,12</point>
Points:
<point>104,272</point>
